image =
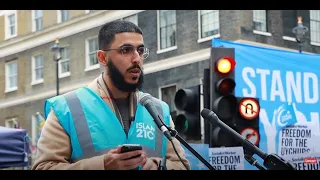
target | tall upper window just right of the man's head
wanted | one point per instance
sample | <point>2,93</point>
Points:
<point>167,28</point>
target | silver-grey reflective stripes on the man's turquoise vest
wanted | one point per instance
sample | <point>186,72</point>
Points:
<point>84,135</point>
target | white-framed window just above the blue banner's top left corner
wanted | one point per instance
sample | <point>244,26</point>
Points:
<point>209,23</point>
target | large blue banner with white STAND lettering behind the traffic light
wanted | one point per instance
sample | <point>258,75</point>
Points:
<point>287,86</point>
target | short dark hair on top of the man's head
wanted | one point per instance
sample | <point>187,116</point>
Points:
<point>110,29</point>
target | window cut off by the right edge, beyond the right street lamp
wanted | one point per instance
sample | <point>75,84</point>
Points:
<point>315,26</point>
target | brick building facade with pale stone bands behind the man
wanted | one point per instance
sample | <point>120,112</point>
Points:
<point>179,43</point>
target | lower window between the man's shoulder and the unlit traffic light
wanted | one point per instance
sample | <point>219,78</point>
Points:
<point>167,94</point>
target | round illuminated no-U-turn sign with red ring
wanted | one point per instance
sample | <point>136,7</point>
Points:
<point>249,108</point>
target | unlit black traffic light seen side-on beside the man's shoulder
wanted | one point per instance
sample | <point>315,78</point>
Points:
<point>188,123</point>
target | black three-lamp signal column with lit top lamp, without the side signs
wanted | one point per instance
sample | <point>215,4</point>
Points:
<point>222,99</point>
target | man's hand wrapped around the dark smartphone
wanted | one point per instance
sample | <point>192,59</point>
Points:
<point>114,160</point>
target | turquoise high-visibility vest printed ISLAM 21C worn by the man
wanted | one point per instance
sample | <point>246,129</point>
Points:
<point>94,128</point>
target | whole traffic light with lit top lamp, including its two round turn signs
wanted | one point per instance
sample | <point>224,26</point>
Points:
<point>239,113</point>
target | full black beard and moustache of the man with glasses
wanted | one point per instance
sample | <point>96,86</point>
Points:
<point>118,79</point>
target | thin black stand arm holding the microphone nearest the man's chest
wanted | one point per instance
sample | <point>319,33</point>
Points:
<point>175,134</point>
